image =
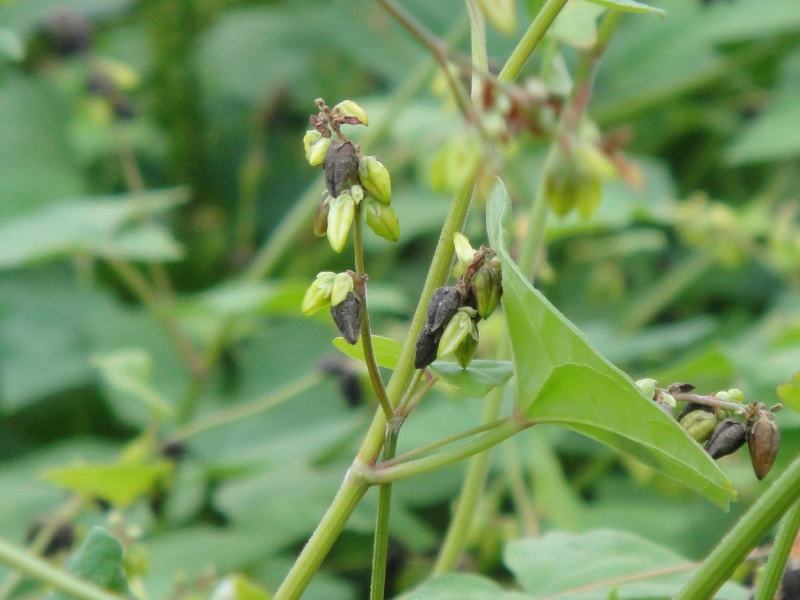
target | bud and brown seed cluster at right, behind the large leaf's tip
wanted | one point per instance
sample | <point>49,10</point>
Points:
<point>723,422</point>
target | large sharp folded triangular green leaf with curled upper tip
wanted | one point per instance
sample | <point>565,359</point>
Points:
<point>561,379</point>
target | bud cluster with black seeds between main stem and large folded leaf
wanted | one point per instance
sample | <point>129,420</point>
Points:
<point>451,321</point>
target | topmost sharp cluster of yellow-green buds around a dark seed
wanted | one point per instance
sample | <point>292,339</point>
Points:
<point>350,178</point>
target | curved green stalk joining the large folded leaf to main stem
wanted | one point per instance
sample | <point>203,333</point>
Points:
<point>379,475</point>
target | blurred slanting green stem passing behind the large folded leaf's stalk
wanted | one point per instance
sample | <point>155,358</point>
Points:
<point>456,536</point>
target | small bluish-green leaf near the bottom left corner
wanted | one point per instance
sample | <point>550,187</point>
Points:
<point>99,560</point>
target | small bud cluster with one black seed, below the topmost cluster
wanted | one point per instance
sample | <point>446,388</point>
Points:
<point>343,293</point>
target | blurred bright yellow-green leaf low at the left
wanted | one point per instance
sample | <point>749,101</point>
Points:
<point>119,483</point>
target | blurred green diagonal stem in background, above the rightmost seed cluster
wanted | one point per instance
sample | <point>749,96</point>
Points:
<point>660,295</point>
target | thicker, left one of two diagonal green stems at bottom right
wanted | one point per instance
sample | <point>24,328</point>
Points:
<point>744,536</point>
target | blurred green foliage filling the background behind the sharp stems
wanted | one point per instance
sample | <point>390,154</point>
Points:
<point>160,141</point>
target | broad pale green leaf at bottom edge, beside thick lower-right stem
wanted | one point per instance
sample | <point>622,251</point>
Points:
<point>592,565</point>
